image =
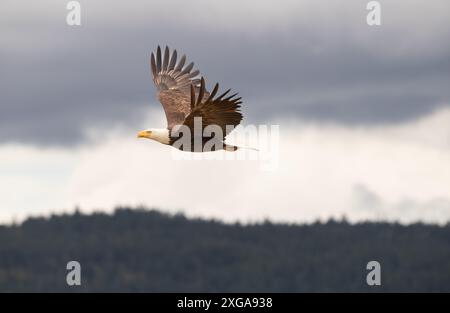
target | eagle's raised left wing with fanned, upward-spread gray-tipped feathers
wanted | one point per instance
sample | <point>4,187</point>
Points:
<point>173,82</point>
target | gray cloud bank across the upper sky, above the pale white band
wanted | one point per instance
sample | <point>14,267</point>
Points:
<point>295,61</point>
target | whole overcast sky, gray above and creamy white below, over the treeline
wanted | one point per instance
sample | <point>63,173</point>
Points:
<point>69,94</point>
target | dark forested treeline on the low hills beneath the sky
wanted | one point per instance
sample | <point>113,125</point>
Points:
<point>147,251</point>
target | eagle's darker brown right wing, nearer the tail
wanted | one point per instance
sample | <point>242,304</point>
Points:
<point>214,110</point>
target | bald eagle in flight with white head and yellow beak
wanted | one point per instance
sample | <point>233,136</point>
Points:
<point>197,120</point>
